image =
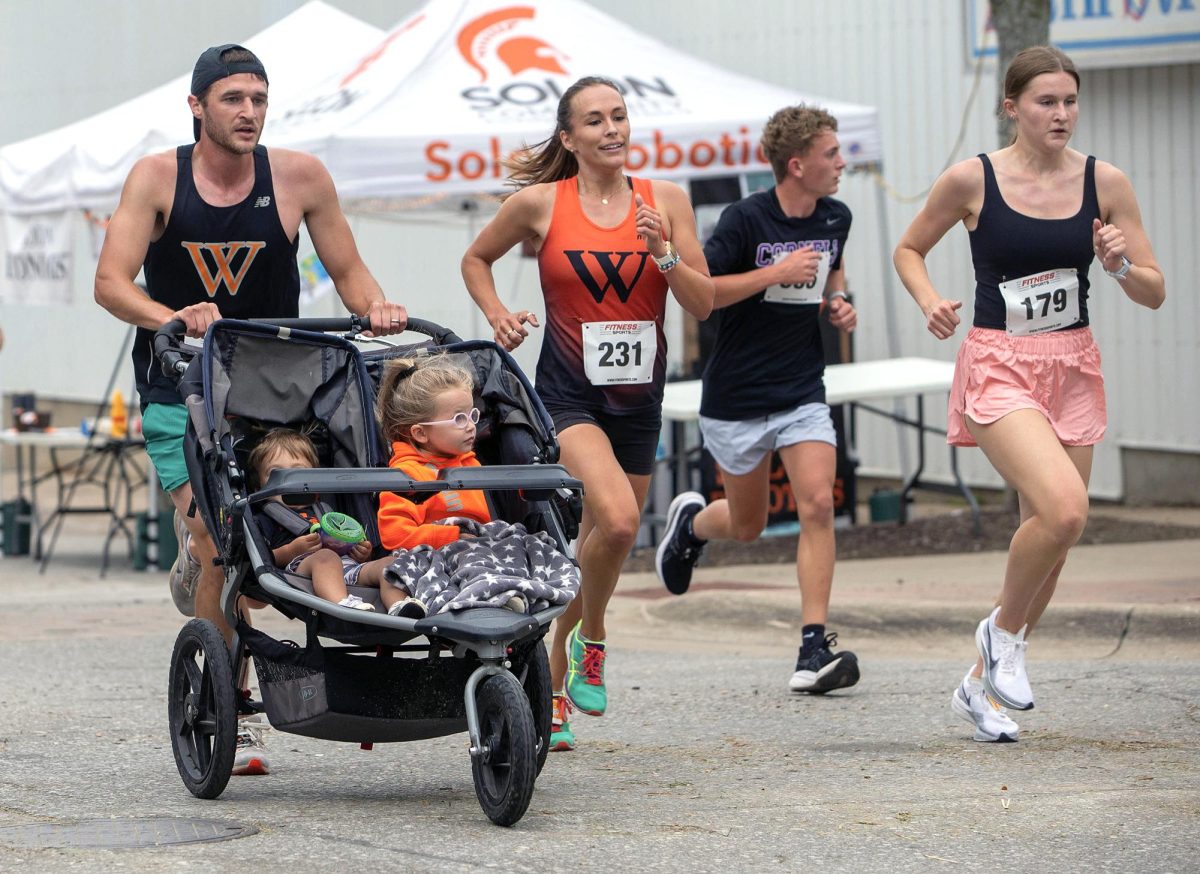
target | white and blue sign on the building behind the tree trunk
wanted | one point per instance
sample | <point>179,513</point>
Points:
<point>1101,34</point>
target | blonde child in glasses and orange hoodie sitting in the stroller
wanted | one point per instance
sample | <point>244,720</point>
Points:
<point>428,416</point>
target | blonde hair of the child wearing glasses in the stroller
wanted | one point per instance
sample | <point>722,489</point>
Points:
<point>410,388</point>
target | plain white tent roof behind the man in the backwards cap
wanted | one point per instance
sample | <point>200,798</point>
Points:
<point>85,165</point>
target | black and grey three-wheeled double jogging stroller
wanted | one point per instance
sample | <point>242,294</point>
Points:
<point>364,678</point>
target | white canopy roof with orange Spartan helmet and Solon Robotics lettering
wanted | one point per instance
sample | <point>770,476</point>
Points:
<point>460,85</point>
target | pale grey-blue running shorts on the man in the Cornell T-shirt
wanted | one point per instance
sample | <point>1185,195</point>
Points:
<point>740,447</point>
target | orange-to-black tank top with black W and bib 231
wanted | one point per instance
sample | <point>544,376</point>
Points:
<point>603,283</point>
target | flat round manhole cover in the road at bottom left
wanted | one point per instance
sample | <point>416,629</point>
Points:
<point>113,834</point>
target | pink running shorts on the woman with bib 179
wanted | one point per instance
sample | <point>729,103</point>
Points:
<point>1057,374</point>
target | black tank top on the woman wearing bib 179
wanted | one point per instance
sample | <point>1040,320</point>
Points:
<point>1009,246</point>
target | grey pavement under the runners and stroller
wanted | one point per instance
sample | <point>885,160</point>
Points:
<point>705,761</point>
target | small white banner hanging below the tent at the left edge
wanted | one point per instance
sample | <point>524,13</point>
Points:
<point>38,253</point>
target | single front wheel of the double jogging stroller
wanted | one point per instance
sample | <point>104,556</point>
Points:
<point>506,767</point>
